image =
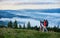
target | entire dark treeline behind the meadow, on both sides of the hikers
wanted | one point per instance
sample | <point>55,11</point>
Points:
<point>14,25</point>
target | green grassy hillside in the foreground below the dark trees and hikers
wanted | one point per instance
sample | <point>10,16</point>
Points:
<point>24,33</point>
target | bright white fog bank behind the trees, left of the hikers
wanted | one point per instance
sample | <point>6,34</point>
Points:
<point>33,22</point>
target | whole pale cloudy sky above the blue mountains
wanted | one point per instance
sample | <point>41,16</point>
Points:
<point>29,4</point>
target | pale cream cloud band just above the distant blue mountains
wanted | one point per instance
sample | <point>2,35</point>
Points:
<point>16,7</point>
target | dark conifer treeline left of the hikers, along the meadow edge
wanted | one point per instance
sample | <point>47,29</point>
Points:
<point>16,26</point>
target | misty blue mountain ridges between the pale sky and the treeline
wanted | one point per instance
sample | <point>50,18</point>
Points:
<point>33,14</point>
